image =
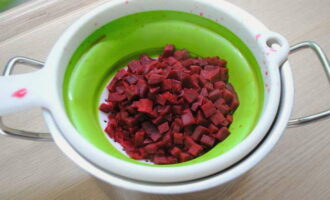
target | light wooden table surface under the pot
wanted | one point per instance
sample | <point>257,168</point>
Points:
<point>297,168</point>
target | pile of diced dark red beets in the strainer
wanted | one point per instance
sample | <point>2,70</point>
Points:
<point>171,109</point>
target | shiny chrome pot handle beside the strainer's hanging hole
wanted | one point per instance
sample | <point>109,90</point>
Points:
<point>326,66</point>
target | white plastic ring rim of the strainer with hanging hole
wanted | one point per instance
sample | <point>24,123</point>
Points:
<point>242,24</point>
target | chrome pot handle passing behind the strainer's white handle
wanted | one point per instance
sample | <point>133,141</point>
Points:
<point>4,130</point>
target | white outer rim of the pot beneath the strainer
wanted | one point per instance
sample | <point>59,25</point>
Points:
<point>198,185</point>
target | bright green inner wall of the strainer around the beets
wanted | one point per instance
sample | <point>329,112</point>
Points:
<point>112,46</point>
